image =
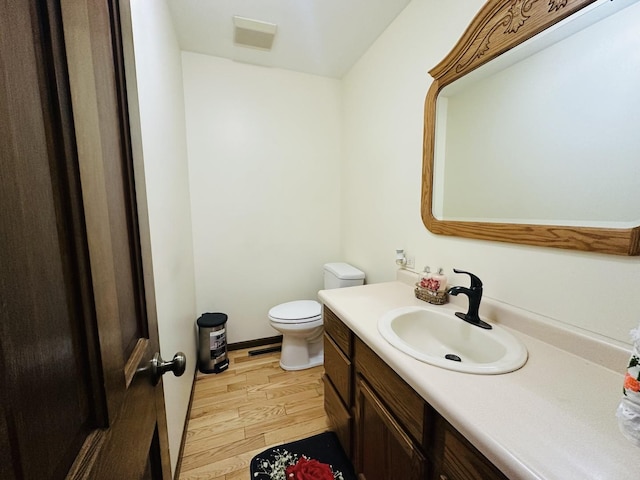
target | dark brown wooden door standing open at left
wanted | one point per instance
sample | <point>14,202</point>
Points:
<point>76,332</point>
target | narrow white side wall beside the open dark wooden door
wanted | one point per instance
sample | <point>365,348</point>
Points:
<point>160,95</point>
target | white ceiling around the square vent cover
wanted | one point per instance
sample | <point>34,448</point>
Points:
<point>321,37</point>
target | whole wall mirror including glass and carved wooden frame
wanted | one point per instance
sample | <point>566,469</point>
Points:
<point>558,112</point>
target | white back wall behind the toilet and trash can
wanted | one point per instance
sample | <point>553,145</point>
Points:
<point>264,166</point>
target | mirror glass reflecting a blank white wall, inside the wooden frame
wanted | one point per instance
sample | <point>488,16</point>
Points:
<point>550,132</point>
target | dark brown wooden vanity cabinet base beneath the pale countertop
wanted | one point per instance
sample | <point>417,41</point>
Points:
<point>387,429</point>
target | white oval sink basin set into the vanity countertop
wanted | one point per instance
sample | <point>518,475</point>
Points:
<point>436,336</point>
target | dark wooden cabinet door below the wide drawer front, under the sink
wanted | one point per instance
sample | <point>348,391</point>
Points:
<point>384,450</point>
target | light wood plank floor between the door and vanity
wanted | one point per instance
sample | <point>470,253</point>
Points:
<point>251,406</point>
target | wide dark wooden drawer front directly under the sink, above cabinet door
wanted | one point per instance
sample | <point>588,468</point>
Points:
<point>402,401</point>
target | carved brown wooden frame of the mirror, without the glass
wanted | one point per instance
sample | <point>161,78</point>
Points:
<point>499,26</point>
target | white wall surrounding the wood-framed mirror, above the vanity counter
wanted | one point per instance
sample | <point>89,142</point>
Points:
<point>381,180</point>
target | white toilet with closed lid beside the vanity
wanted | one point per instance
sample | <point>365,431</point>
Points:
<point>300,322</point>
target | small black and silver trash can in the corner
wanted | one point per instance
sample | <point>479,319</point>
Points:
<point>212,343</point>
